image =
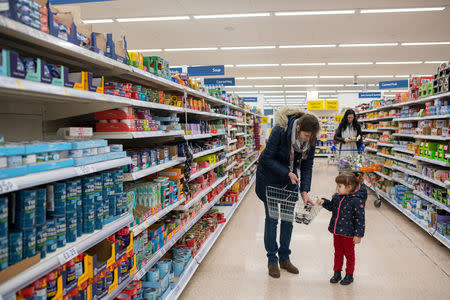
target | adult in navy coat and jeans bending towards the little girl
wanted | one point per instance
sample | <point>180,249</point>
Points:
<point>291,146</point>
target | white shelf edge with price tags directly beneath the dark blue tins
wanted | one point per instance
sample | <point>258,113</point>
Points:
<point>56,259</point>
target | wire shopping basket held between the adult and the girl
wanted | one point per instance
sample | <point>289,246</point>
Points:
<point>288,205</point>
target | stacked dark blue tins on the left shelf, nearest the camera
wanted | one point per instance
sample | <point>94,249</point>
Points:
<point>42,219</point>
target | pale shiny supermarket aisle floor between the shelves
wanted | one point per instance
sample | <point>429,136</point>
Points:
<point>396,259</point>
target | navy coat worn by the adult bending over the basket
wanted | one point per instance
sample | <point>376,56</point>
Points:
<point>273,166</point>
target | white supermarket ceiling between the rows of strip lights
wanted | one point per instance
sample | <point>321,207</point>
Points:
<point>287,30</point>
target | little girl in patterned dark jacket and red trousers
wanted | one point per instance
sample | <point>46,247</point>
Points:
<point>347,223</point>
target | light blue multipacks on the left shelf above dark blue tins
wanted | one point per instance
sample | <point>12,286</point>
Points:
<point>18,159</point>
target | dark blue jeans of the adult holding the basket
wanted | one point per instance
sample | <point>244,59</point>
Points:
<point>270,239</point>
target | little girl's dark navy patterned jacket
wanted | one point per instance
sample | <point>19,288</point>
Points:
<point>348,217</point>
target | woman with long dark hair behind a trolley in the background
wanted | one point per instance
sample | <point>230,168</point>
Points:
<point>349,133</point>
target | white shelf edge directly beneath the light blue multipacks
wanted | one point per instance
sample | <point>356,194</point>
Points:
<point>18,183</point>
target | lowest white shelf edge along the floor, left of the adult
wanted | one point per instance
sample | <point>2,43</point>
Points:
<point>193,265</point>
